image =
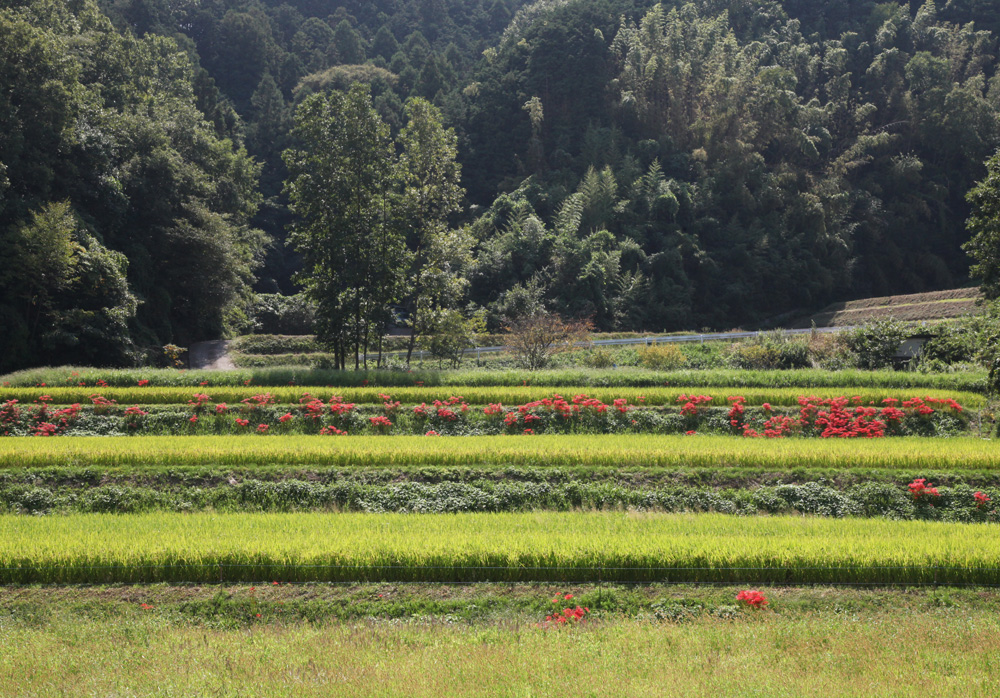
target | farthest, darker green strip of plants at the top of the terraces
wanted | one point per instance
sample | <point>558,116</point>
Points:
<point>972,381</point>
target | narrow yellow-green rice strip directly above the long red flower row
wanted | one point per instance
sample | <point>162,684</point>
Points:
<point>510,396</point>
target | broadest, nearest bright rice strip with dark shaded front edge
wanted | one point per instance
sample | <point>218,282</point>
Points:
<point>569,547</point>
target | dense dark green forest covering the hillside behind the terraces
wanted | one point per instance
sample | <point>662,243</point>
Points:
<point>648,166</point>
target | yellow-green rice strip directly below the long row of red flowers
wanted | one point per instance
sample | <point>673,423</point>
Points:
<point>618,450</point>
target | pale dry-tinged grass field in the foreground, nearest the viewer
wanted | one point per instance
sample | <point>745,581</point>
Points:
<point>893,654</point>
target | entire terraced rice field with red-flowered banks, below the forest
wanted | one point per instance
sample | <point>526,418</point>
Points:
<point>294,532</point>
